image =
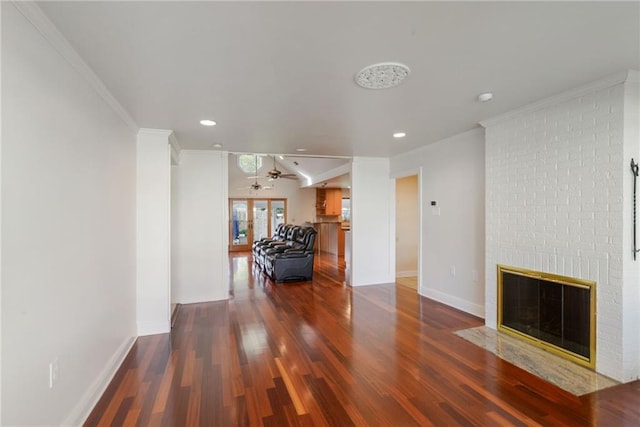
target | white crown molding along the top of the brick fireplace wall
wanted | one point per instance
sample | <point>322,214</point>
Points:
<point>609,81</point>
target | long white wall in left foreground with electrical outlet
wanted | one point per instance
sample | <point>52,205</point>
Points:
<point>68,240</point>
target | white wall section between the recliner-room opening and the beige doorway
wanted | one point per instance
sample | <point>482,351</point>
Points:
<point>372,222</point>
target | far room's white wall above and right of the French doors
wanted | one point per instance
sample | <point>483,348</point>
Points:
<point>301,202</point>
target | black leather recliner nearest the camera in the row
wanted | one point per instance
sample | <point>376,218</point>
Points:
<point>293,260</point>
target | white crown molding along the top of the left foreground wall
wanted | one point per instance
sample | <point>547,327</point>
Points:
<point>41,22</point>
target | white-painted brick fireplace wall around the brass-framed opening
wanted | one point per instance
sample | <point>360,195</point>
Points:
<point>559,200</point>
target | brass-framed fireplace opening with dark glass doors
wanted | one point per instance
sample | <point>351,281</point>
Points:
<point>554,312</point>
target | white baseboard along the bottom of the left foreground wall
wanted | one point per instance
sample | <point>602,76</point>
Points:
<point>81,411</point>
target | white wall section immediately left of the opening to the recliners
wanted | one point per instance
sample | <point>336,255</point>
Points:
<point>200,235</point>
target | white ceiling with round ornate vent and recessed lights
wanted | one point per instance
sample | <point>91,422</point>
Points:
<point>277,76</point>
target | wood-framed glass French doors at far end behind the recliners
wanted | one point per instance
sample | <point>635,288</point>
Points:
<point>253,219</point>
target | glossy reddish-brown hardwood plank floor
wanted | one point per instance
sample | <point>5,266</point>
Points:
<point>320,353</point>
